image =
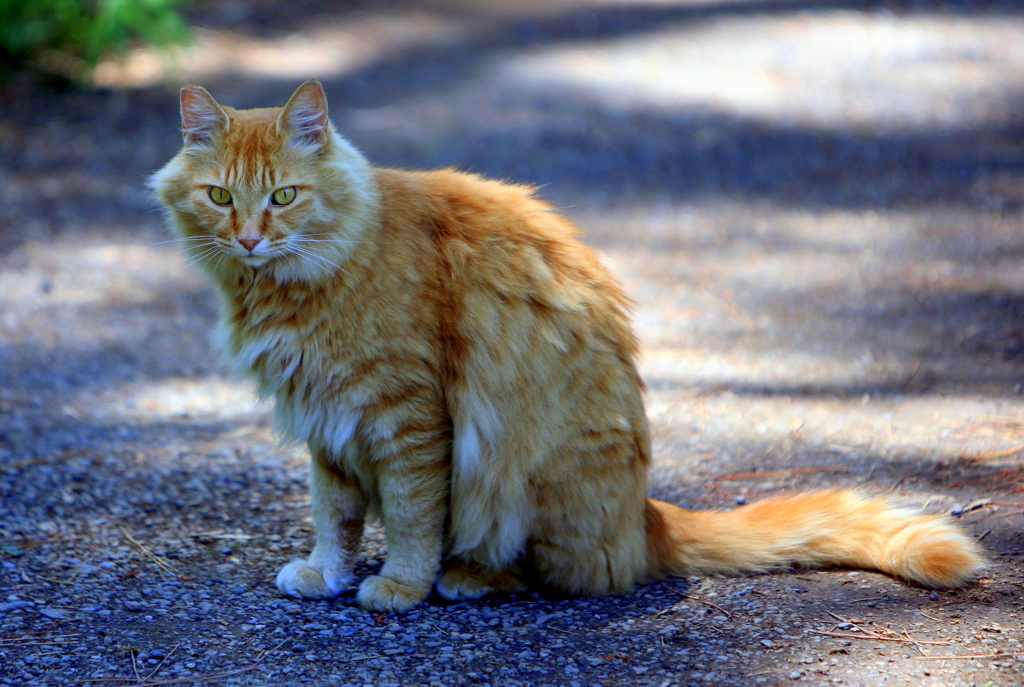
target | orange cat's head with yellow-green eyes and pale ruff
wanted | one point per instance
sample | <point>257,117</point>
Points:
<point>274,190</point>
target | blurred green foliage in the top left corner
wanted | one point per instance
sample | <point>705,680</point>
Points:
<point>82,32</point>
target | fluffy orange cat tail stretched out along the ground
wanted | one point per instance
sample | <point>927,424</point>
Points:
<point>834,528</point>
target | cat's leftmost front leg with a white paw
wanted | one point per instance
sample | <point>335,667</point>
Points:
<point>339,510</point>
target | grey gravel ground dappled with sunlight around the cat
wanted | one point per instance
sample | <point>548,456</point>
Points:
<point>818,207</point>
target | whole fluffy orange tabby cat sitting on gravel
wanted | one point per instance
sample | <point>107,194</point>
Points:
<point>462,367</point>
